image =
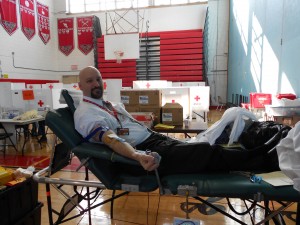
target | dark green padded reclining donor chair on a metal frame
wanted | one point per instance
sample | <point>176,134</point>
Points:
<point>104,164</point>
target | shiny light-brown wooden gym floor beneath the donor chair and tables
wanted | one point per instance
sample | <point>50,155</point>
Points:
<point>144,208</point>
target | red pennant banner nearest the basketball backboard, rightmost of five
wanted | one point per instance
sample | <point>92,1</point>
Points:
<point>85,34</point>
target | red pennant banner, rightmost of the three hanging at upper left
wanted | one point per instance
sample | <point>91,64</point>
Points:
<point>43,22</point>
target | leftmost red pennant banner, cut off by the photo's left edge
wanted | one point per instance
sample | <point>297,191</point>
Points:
<point>8,15</point>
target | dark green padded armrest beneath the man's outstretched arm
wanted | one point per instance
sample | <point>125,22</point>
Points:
<point>95,150</point>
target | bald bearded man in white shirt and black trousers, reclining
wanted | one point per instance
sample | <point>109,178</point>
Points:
<point>113,126</point>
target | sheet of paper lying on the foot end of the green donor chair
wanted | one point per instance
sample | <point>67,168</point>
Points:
<point>277,178</point>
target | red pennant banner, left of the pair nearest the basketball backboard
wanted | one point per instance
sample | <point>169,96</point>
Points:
<point>65,35</point>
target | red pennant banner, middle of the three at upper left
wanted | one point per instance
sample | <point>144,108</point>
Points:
<point>27,15</point>
